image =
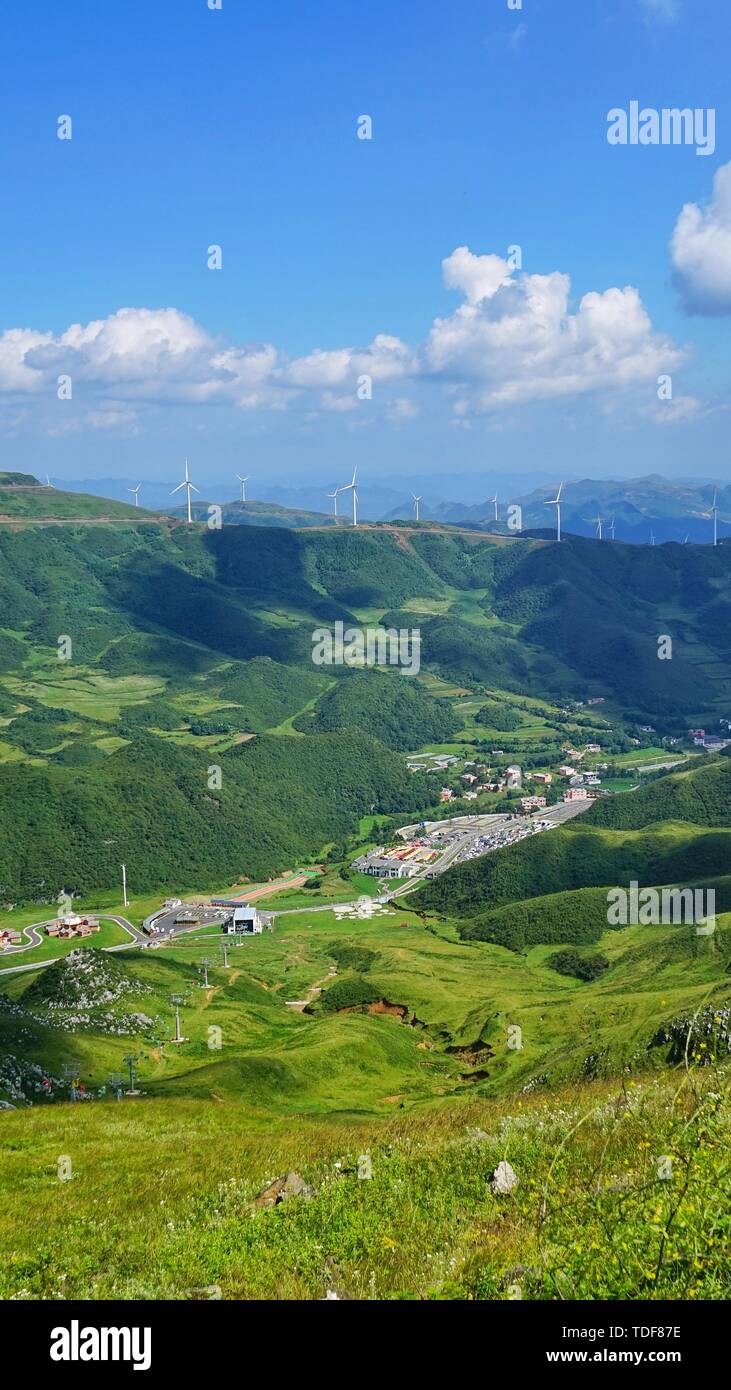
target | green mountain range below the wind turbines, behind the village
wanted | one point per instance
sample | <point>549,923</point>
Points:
<point>165,647</point>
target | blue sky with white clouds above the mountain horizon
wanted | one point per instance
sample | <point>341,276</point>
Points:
<point>341,258</point>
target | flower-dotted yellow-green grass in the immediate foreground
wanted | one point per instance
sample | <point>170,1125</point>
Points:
<point>623,1193</point>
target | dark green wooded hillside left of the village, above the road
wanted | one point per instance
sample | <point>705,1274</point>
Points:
<point>279,803</point>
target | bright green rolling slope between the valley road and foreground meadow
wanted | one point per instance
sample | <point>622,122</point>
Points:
<point>458,996</point>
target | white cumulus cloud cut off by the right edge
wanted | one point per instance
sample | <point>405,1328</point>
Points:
<point>701,251</point>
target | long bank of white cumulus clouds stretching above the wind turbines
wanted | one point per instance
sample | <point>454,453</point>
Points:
<point>515,338</point>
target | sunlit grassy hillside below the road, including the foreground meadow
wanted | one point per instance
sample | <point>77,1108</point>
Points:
<point>426,1104</point>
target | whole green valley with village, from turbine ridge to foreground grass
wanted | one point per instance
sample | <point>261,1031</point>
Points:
<point>161,708</point>
